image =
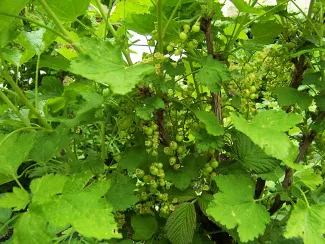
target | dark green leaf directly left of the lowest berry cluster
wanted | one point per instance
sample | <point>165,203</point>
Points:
<point>121,194</point>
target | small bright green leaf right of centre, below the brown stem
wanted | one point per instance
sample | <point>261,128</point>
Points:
<point>211,122</point>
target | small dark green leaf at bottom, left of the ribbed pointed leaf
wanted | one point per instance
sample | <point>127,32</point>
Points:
<point>144,227</point>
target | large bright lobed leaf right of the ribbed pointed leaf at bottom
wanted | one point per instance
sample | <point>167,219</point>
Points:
<point>234,206</point>
